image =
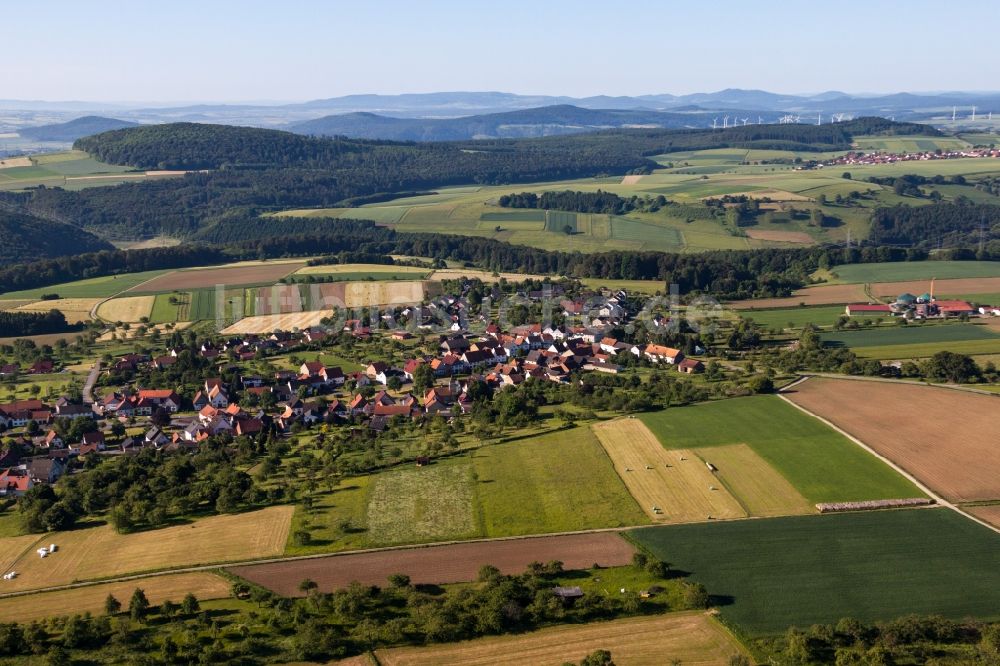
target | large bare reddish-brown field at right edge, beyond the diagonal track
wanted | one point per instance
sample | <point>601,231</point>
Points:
<point>945,438</point>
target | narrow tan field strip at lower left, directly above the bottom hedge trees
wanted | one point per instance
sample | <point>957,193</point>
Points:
<point>90,599</point>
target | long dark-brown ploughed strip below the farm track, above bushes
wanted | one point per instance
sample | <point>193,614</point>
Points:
<point>450,563</point>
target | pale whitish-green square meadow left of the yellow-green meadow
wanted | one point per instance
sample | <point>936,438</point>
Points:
<point>416,505</point>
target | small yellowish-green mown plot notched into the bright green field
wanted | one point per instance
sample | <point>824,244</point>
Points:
<point>756,484</point>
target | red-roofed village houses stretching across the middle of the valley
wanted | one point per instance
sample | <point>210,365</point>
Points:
<point>421,386</point>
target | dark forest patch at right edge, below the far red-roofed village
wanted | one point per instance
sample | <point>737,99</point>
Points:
<point>940,225</point>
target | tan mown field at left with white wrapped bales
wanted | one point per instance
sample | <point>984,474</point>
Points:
<point>100,552</point>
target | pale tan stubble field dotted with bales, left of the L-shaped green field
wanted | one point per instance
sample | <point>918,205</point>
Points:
<point>677,483</point>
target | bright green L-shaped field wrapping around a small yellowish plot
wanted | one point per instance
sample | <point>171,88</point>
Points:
<point>822,464</point>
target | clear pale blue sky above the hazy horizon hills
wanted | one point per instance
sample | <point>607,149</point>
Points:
<point>228,50</point>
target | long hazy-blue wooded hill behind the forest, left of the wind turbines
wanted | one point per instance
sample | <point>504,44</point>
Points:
<point>527,123</point>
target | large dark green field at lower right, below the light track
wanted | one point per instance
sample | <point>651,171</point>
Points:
<point>770,574</point>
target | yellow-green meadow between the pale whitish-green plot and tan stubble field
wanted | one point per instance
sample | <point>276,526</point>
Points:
<point>559,482</point>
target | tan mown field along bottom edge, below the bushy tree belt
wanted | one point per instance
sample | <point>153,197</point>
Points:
<point>689,638</point>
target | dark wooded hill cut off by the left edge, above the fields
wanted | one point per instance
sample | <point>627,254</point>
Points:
<point>29,238</point>
